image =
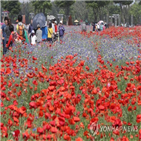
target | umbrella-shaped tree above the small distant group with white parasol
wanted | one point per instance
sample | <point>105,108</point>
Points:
<point>96,5</point>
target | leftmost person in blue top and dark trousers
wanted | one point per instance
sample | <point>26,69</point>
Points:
<point>4,35</point>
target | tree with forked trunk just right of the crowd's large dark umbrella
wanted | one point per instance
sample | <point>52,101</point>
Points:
<point>65,4</point>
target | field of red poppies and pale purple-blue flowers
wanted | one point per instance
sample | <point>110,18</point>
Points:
<point>73,89</point>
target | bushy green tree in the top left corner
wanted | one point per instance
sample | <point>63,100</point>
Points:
<point>13,6</point>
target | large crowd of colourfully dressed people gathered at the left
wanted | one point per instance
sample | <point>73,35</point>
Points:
<point>49,32</point>
